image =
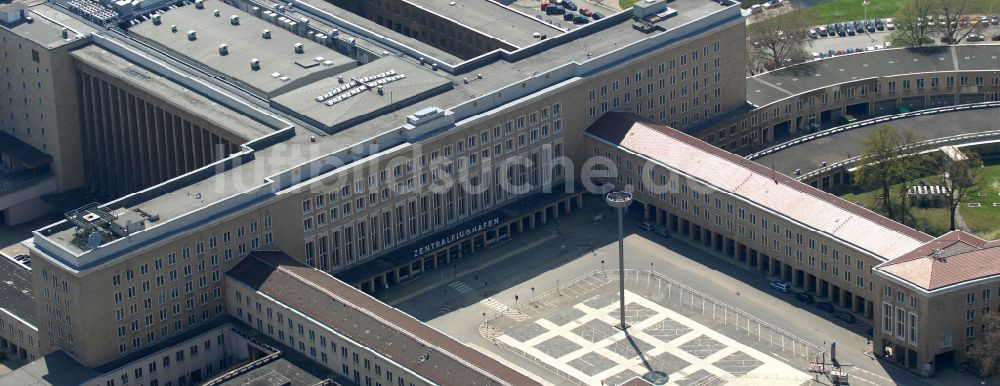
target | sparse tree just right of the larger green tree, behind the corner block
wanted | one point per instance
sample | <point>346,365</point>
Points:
<point>959,177</point>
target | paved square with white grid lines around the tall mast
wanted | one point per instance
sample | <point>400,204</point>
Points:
<point>580,340</point>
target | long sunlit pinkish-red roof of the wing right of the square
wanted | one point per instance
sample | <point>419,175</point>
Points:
<point>736,176</point>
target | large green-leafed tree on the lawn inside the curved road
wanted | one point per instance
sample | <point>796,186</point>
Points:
<point>884,162</point>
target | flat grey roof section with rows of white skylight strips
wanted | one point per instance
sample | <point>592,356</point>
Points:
<point>400,80</point>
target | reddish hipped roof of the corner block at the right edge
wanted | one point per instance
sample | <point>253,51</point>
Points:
<point>963,257</point>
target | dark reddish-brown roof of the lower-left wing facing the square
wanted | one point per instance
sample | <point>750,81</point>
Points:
<point>371,323</point>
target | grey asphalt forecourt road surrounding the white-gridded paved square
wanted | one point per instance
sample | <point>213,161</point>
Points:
<point>541,265</point>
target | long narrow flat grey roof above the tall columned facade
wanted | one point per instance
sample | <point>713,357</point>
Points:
<point>168,91</point>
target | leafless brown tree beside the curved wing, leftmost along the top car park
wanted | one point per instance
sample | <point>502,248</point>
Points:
<point>777,41</point>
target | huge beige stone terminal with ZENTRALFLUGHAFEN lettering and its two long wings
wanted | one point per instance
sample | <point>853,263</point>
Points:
<point>251,149</point>
